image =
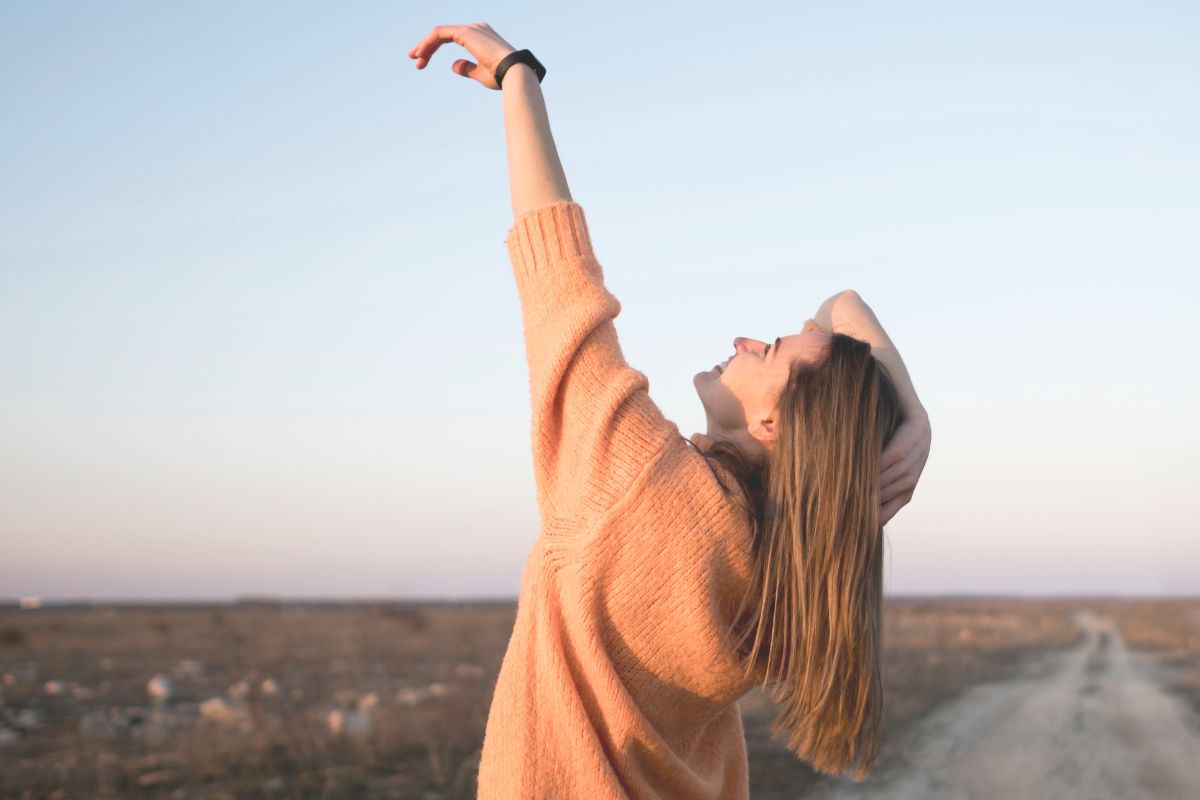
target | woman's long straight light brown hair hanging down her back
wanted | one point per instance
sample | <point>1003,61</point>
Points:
<point>811,621</point>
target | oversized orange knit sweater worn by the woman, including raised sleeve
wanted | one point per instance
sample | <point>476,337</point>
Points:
<point>616,683</point>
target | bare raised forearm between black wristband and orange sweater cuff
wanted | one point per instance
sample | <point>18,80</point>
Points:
<point>536,173</point>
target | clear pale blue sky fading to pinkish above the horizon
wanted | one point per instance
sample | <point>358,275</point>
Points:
<point>259,330</point>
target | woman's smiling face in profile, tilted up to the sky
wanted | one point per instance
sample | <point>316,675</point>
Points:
<point>740,395</point>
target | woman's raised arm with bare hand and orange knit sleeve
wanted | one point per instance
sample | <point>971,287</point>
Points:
<point>595,428</point>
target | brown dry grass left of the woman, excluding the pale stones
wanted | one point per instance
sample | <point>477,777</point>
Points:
<point>322,658</point>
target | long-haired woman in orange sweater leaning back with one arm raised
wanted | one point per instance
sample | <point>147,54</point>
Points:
<point>674,575</point>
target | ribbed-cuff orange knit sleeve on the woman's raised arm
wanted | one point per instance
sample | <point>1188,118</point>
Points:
<point>595,425</point>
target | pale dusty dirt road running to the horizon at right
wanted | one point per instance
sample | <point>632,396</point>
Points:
<point>1088,724</point>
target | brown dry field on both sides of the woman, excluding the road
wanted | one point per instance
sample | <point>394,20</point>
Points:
<point>391,700</point>
